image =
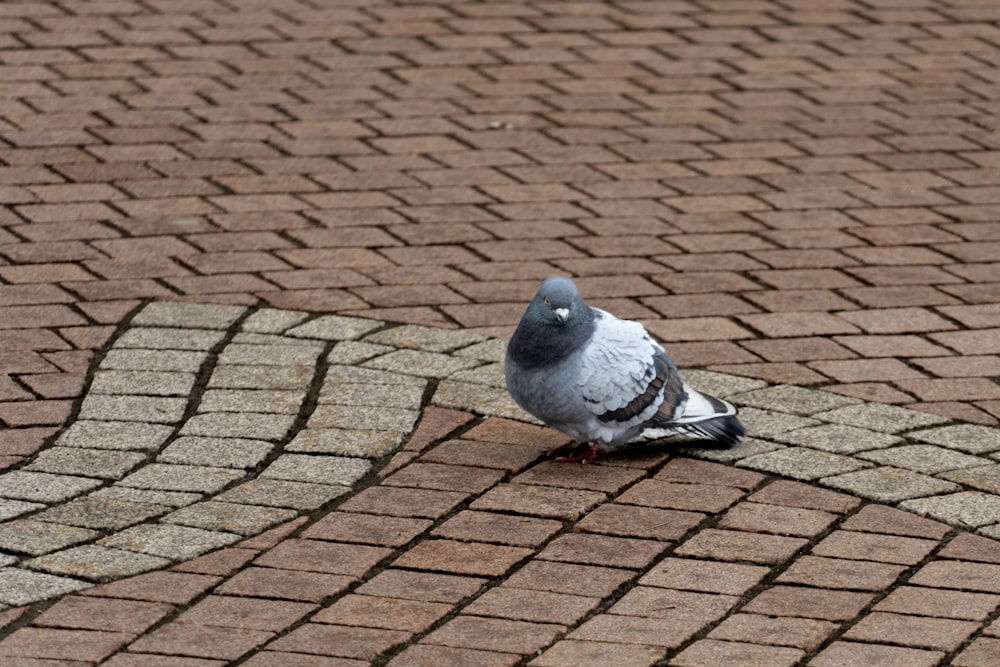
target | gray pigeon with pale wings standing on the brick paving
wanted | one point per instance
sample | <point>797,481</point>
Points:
<point>602,380</point>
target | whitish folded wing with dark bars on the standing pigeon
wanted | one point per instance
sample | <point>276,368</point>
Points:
<point>625,376</point>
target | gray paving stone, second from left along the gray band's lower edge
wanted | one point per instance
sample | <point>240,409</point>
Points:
<point>96,563</point>
